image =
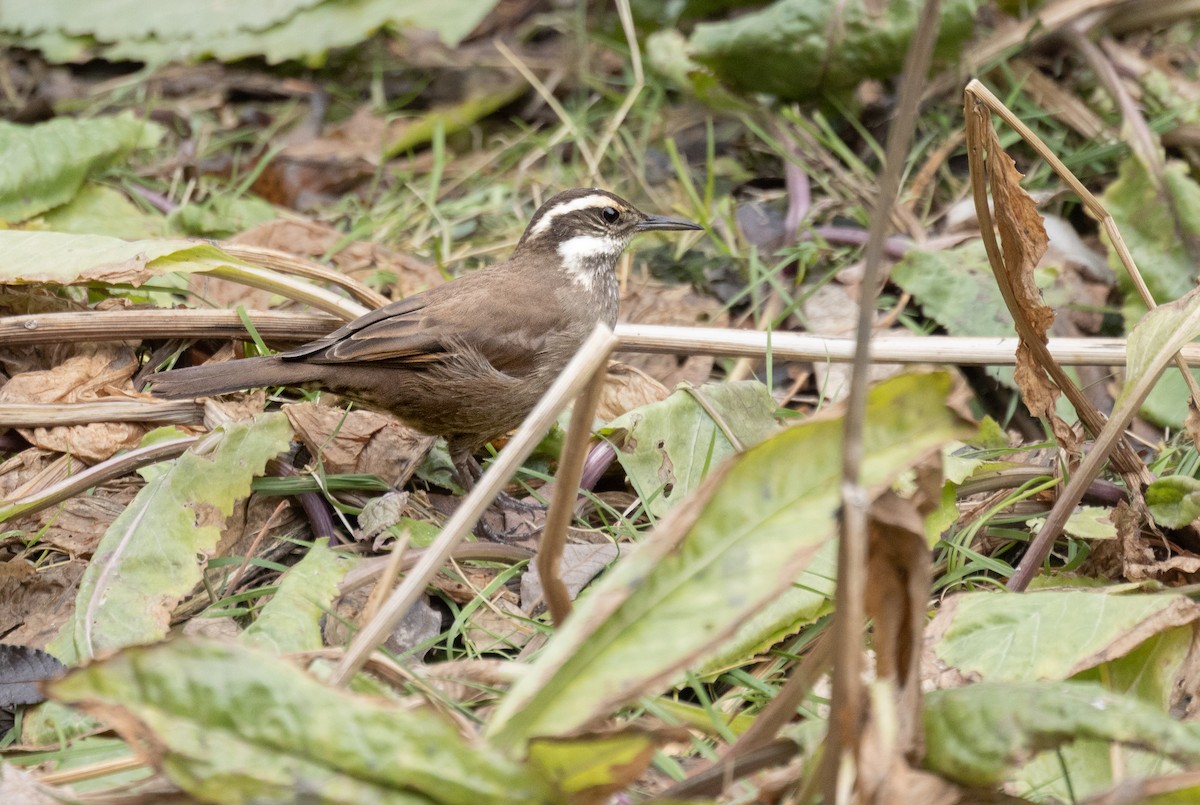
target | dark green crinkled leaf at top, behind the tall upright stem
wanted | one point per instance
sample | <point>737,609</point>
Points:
<point>800,50</point>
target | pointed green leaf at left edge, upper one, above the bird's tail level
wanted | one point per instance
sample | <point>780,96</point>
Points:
<point>46,165</point>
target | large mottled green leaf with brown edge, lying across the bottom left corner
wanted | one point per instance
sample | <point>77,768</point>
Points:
<point>239,725</point>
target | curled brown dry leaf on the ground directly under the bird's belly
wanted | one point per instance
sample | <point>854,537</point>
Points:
<point>359,442</point>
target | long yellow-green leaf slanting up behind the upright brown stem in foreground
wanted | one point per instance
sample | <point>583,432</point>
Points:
<point>723,555</point>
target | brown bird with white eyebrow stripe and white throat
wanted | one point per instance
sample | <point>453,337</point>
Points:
<point>467,361</point>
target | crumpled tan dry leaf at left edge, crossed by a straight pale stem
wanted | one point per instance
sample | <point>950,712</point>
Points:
<point>93,374</point>
